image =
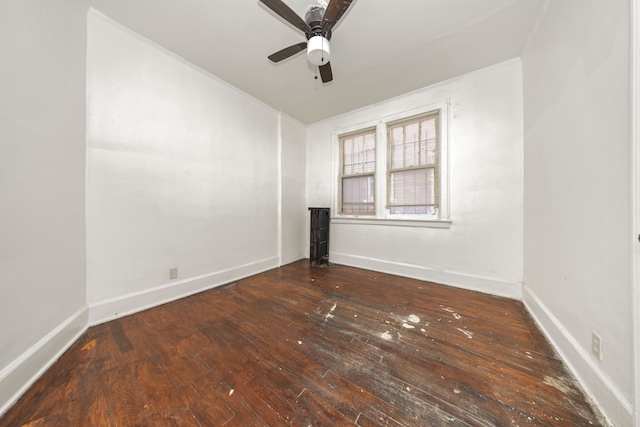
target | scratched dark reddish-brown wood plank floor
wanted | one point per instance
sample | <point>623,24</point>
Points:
<point>309,346</point>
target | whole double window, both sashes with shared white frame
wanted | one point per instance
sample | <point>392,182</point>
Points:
<point>394,170</point>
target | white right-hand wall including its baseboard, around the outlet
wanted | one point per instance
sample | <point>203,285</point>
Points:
<point>577,218</point>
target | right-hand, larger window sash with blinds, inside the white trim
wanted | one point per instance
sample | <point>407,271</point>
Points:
<point>412,173</point>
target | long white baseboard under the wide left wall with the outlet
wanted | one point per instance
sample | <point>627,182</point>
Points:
<point>139,301</point>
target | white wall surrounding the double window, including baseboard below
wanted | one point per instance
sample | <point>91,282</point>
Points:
<point>483,247</point>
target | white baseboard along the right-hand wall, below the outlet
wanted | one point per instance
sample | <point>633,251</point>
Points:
<point>617,409</point>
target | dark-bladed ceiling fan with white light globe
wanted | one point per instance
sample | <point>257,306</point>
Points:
<point>316,27</point>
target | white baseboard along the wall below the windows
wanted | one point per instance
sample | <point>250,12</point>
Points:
<point>487,285</point>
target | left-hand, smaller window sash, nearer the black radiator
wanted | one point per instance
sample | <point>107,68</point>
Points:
<point>358,167</point>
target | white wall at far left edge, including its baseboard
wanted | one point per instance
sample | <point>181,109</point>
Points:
<point>42,166</point>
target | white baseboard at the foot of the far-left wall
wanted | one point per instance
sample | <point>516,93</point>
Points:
<point>16,378</point>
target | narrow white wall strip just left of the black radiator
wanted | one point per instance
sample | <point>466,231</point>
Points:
<point>294,207</point>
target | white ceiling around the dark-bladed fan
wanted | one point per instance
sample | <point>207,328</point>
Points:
<point>379,49</point>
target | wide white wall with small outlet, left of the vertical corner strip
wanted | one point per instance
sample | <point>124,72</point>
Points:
<point>182,172</point>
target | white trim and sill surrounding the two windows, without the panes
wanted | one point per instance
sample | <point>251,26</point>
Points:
<point>382,215</point>
